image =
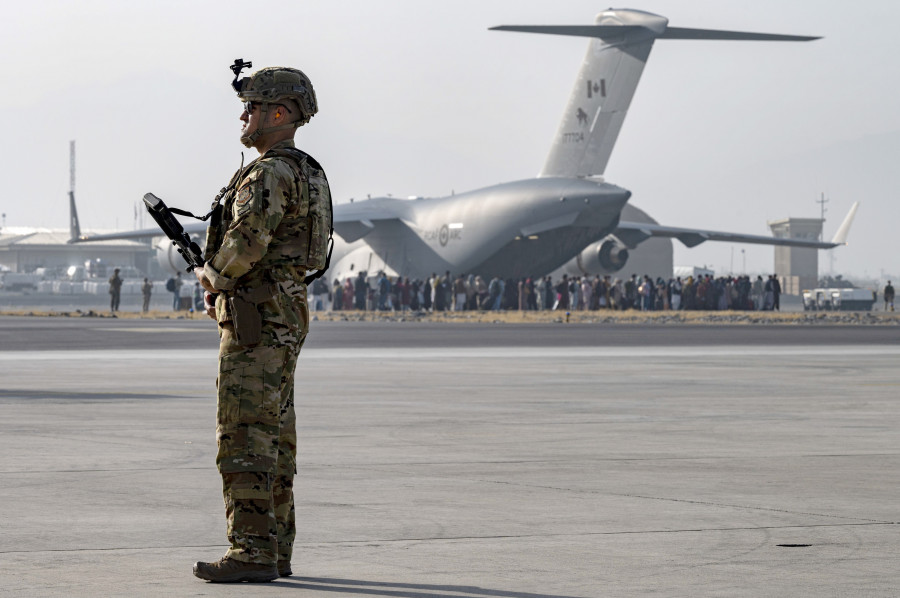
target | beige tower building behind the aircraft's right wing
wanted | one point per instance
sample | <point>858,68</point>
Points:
<point>797,267</point>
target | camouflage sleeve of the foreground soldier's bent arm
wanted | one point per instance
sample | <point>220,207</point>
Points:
<point>259,205</point>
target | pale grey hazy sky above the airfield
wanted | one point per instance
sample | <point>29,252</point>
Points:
<point>419,98</point>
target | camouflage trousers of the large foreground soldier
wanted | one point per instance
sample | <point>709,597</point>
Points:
<point>257,442</point>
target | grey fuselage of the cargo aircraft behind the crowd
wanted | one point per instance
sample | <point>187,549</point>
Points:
<point>523,228</point>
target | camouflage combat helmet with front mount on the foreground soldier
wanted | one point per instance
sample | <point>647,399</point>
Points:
<point>275,85</point>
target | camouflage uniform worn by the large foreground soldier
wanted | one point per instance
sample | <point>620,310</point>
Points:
<point>272,226</point>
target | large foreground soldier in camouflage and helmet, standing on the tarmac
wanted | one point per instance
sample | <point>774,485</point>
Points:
<point>274,225</point>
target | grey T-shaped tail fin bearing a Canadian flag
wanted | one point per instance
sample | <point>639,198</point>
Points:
<point>621,44</point>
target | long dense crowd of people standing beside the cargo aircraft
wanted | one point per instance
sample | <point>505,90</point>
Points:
<point>471,292</point>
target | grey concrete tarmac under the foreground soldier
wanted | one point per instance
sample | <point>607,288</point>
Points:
<point>532,461</point>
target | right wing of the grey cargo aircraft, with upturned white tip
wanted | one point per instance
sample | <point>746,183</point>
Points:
<point>633,233</point>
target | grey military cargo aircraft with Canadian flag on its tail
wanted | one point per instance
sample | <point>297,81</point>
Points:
<point>567,216</point>
